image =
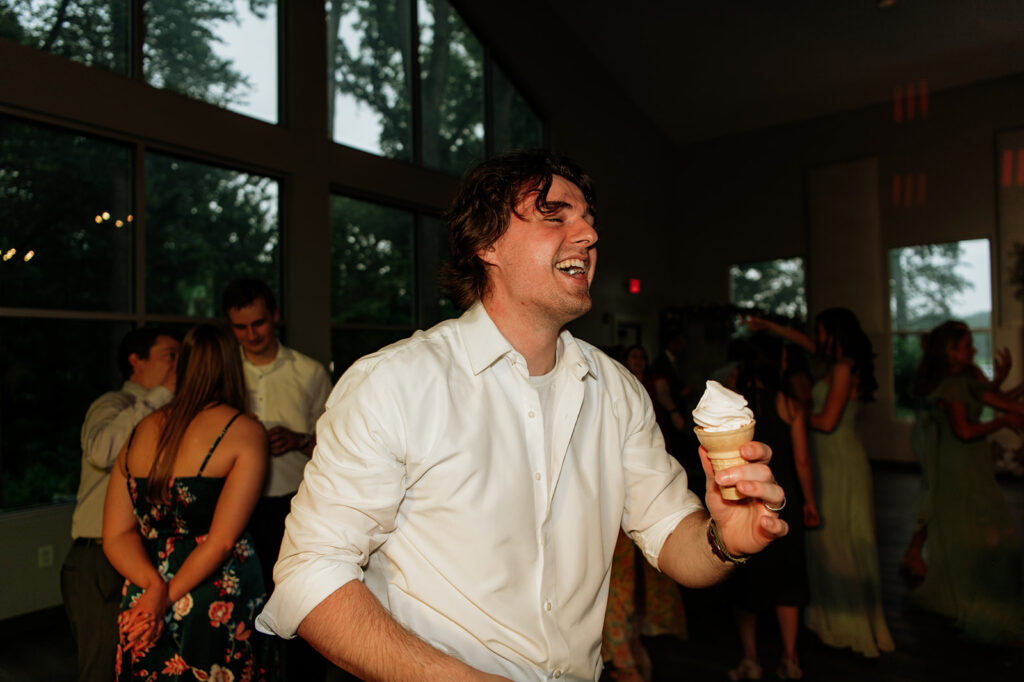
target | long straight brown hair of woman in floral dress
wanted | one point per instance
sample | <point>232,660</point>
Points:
<point>209,371</point>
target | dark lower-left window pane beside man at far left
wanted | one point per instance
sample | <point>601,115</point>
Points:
<point>40,447</point>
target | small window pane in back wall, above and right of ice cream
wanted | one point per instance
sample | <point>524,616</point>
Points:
<point>775,287</point>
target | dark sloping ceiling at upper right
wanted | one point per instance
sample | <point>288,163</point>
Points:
<point>703,70</point>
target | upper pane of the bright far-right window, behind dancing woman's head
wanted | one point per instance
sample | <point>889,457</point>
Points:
<point>933,283</point>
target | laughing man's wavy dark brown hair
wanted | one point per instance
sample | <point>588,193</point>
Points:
<point>484,205</point>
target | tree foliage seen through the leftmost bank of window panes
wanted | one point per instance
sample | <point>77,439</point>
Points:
<point>204,227</point>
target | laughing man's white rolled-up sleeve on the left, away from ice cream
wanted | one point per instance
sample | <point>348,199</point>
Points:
<point>347,505</point>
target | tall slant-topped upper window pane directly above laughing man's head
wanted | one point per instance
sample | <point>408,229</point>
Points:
<point>452,73</point>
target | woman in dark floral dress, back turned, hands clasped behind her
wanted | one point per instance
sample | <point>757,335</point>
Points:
<point>178,504</point>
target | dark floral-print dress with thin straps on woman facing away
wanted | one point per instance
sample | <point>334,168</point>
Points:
<point>208,633</point>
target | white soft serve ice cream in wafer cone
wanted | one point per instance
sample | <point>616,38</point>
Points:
<point>724,423</point>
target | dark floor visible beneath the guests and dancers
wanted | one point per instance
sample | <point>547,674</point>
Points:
<point>39,649</point>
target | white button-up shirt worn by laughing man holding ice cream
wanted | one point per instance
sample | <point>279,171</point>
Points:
<point>432,471</point>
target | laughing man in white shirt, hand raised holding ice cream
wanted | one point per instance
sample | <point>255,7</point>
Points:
<point>459,517</point>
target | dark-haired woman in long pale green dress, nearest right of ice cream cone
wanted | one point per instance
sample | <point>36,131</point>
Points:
<point>845,607</point>
